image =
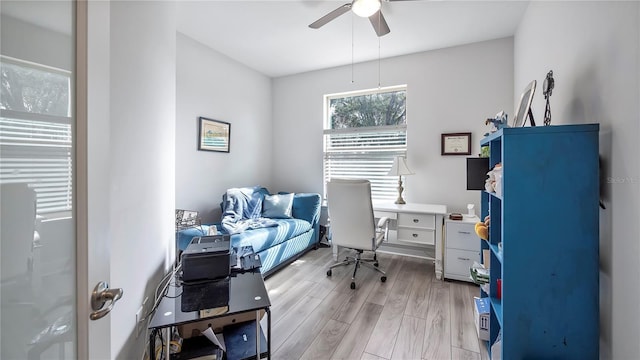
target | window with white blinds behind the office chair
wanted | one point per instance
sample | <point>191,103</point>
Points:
<point>364,131</point>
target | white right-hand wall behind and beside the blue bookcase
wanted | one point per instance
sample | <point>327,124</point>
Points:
<point>593,50</point>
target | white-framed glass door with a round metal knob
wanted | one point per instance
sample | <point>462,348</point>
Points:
<point>48,267</point>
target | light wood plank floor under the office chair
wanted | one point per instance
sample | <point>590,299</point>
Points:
<point>410,316</point>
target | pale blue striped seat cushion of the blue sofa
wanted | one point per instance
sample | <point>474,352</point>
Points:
<point>264,238</point>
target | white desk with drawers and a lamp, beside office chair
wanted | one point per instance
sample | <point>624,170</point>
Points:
<point>414,230</point>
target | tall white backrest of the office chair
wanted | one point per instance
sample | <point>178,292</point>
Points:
<point>351,213</point>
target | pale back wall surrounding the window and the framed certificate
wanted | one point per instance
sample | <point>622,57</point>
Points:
<point>448,90</point>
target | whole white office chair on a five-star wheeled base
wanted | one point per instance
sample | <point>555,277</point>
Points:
<point>353,224</point>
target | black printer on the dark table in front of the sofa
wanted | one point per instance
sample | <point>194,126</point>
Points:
<point>206,258</point>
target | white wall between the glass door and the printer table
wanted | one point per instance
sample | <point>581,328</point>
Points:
<point>142,157</point>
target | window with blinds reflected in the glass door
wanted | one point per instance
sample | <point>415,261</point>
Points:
<point>36,133</point>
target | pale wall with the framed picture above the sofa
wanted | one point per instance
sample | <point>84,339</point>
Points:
<point>214,86</point>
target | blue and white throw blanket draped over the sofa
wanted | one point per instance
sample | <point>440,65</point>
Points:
<point>243,210</point>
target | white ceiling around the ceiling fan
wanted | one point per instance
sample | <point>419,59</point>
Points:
<point>273,37</point>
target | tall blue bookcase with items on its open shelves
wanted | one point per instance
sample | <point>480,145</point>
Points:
<point>543,241</point>
